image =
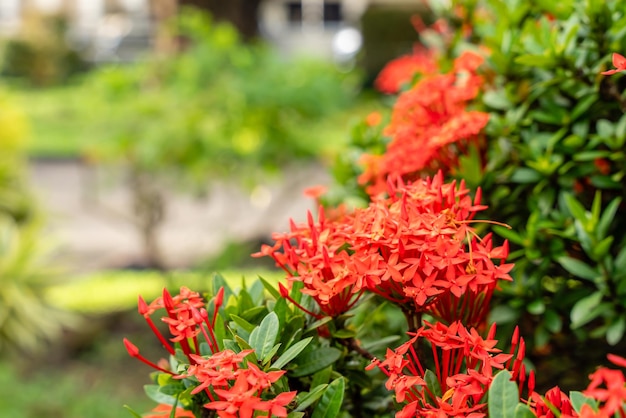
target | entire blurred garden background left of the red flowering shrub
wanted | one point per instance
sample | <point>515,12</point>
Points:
<point>151,143</point>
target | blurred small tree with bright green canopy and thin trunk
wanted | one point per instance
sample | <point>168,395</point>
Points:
<point>219,109</point>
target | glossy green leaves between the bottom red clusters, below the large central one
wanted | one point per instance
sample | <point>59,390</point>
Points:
<point>317,353</point>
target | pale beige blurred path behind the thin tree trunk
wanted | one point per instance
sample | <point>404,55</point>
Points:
<point>88,214</point>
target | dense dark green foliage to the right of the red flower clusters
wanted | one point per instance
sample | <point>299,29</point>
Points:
<point>550,165</point>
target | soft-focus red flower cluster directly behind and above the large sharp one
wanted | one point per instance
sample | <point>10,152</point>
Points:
<point>430,126</point>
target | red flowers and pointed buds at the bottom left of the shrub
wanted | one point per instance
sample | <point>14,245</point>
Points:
<point>235,388</point>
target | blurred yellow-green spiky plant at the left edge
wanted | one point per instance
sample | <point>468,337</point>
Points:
<point>26,318</point>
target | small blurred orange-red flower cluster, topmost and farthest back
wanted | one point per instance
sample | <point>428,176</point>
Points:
<point>401,71</point>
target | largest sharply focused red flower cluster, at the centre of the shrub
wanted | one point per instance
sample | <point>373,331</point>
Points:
<point>414,248</point>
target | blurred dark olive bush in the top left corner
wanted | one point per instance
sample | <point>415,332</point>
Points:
<point>39,53</point>
